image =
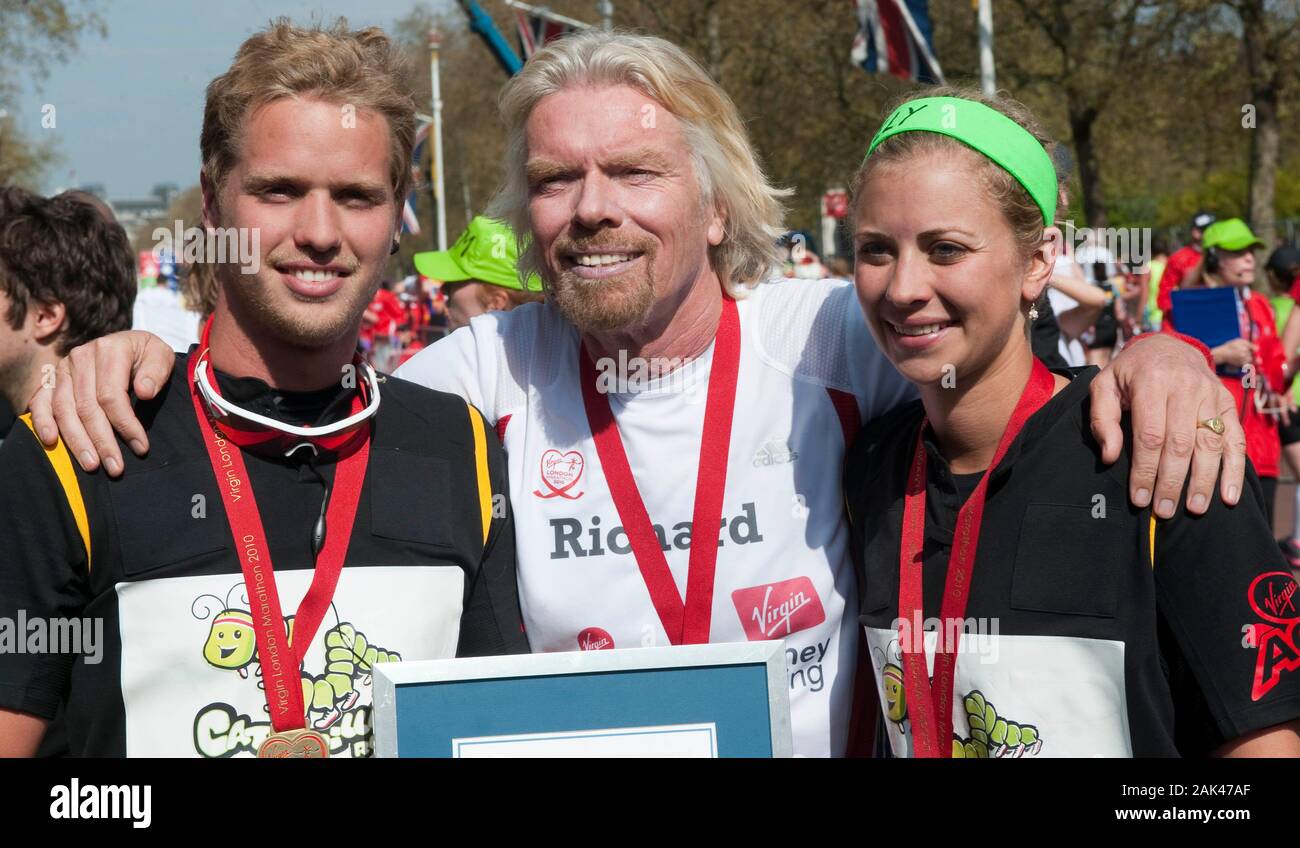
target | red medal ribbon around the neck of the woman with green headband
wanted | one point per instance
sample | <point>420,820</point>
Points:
<point>933,712</point>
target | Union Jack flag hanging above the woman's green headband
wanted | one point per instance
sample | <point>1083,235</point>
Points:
<point>895,37</point>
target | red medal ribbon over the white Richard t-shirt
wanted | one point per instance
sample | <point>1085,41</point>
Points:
<point>686,622</point>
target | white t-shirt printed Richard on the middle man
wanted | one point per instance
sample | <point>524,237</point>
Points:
<point>785,569</point>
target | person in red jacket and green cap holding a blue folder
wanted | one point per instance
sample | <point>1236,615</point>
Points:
<point>1259,388</point>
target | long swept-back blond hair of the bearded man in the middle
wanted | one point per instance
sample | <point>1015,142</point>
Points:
<point>727,170</point>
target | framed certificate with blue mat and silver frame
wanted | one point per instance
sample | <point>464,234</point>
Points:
<point>725,700</point>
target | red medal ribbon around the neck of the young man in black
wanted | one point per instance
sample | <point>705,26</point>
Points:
<point>281,661</point>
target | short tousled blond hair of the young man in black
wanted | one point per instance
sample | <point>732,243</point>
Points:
<point>358,68</point>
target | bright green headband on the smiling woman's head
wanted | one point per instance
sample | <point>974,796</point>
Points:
<point>987,132</point>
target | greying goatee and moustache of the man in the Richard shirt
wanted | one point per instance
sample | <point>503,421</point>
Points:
<point>614,304</point>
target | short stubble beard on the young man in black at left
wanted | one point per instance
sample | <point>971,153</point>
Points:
<point>292,319</point>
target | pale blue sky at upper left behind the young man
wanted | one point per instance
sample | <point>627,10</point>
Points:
<point>129,106</point>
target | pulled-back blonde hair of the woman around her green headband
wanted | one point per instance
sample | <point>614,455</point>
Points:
<point>1021,211</point>
